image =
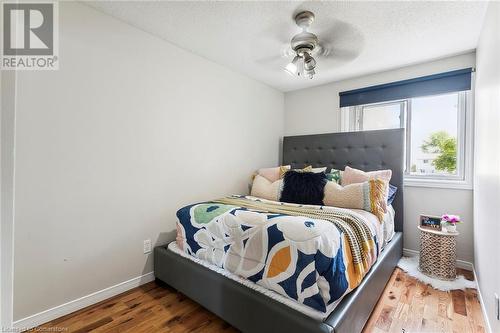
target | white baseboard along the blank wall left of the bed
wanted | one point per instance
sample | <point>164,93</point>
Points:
<point>80,303</point>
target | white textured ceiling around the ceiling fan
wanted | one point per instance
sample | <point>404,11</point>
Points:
<point>250,37</point>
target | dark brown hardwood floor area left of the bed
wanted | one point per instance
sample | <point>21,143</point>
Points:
<point>152,307</point>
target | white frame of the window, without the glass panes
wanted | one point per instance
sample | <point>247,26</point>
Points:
<point>463,178</point>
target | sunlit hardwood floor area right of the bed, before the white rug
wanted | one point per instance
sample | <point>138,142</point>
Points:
<point>408,305</point>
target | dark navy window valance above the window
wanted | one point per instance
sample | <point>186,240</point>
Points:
<point>458,80</point>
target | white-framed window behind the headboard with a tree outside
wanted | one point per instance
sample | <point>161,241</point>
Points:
<point>436,134</point>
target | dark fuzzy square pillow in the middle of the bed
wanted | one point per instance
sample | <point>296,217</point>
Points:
<point>303,187</point>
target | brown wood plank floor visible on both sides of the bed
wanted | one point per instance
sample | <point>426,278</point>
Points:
<point>405,306</point>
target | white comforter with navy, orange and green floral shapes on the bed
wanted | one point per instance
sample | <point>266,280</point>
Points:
<point>312,254</point>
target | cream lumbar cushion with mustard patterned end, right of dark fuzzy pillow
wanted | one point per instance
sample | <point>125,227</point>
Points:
<point>369,196</point>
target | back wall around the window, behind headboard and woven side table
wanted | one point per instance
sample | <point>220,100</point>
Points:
<point>316,110</point>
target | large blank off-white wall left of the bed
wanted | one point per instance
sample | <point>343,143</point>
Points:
<point>129,129</point>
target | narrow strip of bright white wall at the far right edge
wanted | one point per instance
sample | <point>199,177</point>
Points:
<point>487,163</point>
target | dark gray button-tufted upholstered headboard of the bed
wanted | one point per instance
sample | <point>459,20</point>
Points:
<point>367,150</point>
